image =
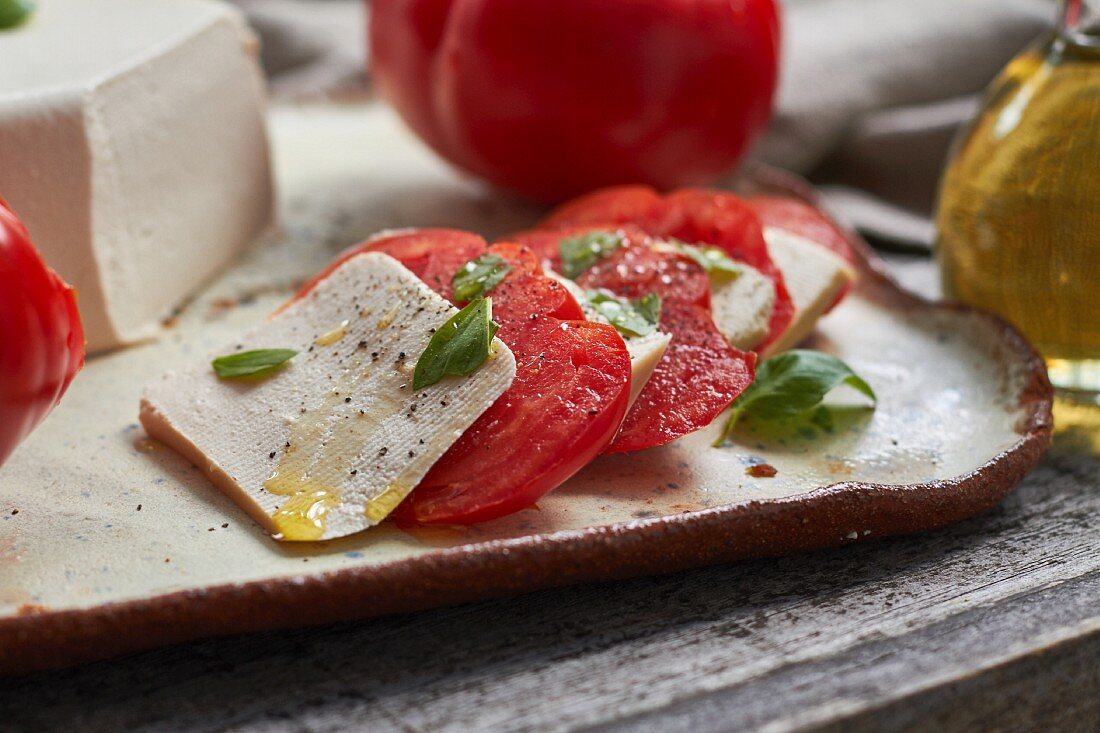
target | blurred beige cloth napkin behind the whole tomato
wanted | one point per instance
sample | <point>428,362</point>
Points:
<point>872,91</point>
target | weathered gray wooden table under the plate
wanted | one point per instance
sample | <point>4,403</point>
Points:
<point>991,625</point>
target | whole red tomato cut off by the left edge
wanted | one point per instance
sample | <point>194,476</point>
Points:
<point>41,336</point>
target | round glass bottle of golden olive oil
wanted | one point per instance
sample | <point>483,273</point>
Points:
<point>1019,215</point>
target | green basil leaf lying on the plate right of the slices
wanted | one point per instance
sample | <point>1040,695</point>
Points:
<point>791,384</point>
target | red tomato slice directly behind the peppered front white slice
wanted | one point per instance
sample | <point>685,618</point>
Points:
<point>563,410</point>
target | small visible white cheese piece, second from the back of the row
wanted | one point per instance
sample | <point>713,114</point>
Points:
<point>742,308</point>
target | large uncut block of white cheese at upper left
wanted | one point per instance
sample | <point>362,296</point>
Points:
<point>133,145</point>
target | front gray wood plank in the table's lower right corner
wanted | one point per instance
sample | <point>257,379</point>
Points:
<point>1030,665</point>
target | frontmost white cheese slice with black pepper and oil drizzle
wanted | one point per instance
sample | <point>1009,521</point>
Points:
<point>332,443</point>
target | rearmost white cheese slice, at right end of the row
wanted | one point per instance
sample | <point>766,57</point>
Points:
<point>815,277</point>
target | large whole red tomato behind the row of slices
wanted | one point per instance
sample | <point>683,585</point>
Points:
<point>553,99</point>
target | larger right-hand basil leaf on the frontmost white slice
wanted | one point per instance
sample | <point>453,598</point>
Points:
<point>459,347</point>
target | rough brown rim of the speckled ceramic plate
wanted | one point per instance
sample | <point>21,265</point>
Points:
<point>820,519</point>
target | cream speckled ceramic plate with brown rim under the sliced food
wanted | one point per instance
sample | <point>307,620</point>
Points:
<point>112,544</point>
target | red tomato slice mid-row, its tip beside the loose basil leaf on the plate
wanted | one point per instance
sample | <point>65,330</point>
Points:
<point>699,377</point>
